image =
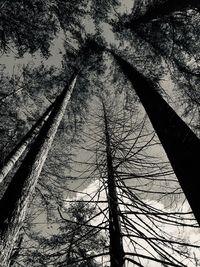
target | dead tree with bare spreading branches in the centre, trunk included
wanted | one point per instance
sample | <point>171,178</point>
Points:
<point>137,222</point>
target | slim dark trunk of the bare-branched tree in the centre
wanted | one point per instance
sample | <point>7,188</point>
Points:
<point>116,245</point>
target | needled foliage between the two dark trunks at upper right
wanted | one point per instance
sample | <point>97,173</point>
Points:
<point>172,39</point>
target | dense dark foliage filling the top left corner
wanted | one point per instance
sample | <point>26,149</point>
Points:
<point>33,25</point>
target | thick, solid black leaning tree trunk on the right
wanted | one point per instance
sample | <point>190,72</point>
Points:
<point>179,142</point>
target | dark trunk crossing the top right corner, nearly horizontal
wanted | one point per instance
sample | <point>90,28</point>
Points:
<point>162,9</point>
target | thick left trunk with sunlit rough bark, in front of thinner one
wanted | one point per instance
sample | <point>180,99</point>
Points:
<point>16,199</point>
